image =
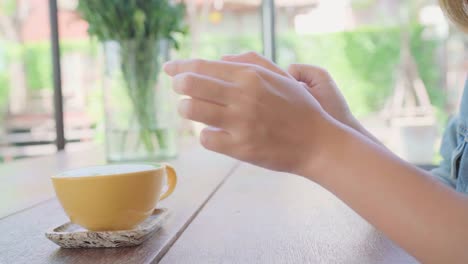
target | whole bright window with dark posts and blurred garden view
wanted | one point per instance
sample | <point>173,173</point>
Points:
<point>405,100</point>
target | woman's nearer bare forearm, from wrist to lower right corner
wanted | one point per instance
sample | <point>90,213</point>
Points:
<point>425,217</point>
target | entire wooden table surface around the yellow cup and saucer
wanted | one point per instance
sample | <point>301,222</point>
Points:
<point>222,212</point>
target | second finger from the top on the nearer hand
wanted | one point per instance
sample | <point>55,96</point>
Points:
<point>204,88</point>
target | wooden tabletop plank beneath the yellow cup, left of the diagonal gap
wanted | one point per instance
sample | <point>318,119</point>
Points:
<point>22,237</point>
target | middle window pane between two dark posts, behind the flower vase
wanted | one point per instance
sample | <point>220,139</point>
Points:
<point>83,65</point>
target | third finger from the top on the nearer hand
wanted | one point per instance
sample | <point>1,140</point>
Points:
<point>204,112</point>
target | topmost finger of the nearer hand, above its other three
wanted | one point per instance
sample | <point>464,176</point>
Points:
<point>216,69</point>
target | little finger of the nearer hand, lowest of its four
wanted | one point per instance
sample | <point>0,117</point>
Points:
<point>216,139</point>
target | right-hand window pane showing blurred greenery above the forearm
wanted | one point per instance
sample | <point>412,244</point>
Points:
<point>398,63</point>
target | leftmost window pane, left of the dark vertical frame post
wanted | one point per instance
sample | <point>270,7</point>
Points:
<point>27,126</point>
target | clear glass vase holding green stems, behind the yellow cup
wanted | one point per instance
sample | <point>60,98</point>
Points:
<point>139,104</point>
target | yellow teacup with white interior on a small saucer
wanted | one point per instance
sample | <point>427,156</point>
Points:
<point>113,197</point>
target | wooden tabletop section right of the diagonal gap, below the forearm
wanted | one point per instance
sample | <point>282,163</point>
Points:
<point>259,216</point>
